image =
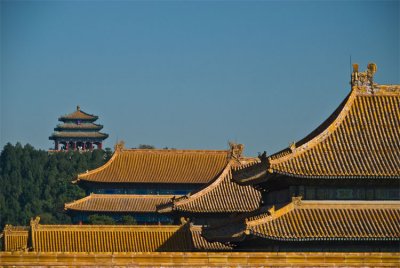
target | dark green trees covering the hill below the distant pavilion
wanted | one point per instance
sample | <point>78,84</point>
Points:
<point>36,183</point>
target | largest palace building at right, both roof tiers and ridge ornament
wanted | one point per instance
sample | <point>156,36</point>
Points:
<point>335,190</point>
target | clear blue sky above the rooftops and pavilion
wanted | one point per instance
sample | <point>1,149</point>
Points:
<point>188,74</point>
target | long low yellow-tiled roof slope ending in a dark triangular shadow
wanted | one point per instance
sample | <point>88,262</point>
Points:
<point>110,238</point>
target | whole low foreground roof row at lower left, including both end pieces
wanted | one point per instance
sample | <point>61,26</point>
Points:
<point>107,238</point>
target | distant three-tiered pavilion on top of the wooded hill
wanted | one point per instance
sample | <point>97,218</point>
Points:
<point>78,132</point>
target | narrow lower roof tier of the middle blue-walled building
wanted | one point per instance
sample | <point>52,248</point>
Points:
<point>118,203</point>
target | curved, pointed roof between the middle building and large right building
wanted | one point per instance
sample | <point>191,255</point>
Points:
<point>220,196</point>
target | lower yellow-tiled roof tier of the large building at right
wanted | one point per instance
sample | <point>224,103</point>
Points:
<point>320,220</point>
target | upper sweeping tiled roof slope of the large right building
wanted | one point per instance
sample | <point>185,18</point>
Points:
<point>361,139</point>
